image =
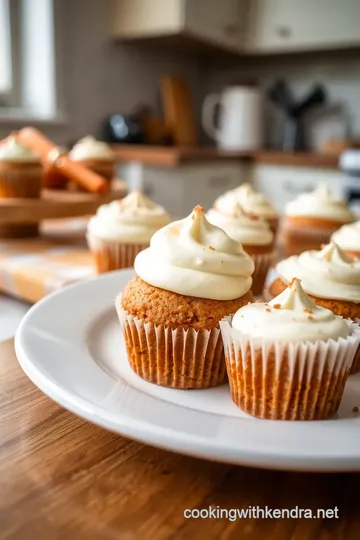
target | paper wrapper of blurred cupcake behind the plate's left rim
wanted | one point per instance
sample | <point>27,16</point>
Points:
<point>109,256</point>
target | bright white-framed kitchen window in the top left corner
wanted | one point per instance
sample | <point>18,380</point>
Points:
<point>28,89</point>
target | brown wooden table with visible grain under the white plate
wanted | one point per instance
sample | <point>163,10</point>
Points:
<point>62,478</point>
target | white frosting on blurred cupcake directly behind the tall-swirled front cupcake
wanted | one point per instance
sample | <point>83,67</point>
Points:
<point>243,229</point>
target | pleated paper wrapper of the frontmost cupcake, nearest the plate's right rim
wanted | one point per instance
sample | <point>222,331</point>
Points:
<point>288,381</point>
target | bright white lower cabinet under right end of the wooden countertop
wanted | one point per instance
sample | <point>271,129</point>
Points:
<point>282,184</point>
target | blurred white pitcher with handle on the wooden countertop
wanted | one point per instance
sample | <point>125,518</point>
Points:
<point>240,125</point>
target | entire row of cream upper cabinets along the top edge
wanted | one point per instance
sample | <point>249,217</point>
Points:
<point>243,26</point>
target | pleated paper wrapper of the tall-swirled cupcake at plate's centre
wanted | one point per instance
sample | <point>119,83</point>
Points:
<point>173,357</point>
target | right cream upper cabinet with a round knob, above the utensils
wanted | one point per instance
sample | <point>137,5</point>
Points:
<point>290,25</point>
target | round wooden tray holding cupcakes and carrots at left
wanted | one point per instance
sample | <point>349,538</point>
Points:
<point>55,204</point>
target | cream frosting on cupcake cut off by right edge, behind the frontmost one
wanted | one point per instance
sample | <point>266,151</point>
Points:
<point>328,273</point>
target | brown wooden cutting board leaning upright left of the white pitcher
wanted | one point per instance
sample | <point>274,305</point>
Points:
<point>178,111</point>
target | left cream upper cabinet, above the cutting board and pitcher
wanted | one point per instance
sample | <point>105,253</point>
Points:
<point>222,24</point>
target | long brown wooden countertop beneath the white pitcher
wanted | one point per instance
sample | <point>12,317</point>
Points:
<point>174,156</point>
